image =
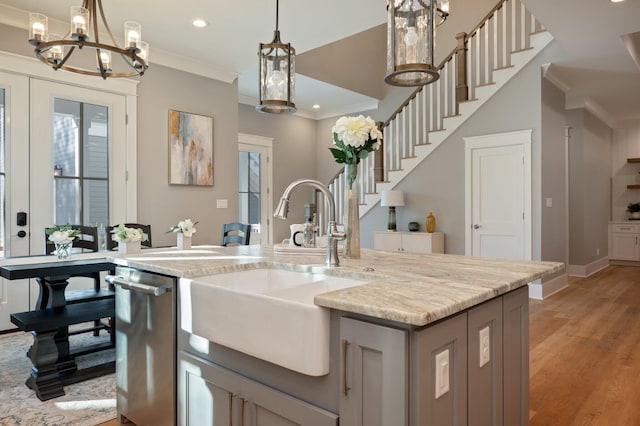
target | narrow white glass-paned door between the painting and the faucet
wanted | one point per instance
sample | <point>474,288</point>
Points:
<point>254,186</point>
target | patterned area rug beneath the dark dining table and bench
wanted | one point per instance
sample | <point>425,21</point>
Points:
<point>87,403</point>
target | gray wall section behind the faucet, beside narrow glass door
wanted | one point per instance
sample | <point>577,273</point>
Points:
<point>294,145</point>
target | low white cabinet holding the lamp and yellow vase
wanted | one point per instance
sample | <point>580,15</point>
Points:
<point>411,242</point>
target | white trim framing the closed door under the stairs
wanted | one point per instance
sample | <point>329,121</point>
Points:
<point>521,137</point>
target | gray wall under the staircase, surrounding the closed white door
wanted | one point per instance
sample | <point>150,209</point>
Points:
<point>437,185</point>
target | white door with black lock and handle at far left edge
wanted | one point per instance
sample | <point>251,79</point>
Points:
<point>14,188</point>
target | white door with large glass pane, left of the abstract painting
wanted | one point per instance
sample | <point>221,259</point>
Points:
<point>78,176</point>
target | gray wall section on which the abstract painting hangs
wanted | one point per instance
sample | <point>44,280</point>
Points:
<point>163,205</point>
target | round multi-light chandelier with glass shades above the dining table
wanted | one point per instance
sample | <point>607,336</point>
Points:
<point>84,37</point>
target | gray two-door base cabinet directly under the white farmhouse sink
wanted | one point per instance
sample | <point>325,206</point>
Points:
<point>212,395</point>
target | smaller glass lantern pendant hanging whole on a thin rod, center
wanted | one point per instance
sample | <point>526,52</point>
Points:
<point>277,68</point>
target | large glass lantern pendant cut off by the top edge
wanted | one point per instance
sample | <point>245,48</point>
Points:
<point>410,40</point>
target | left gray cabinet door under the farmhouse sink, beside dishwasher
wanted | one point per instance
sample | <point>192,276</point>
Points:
<point>206,393</point>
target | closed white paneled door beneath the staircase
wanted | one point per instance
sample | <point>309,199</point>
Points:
<point>498,195</point>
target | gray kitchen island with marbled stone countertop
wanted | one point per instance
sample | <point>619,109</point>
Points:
<point>429,339</point>
